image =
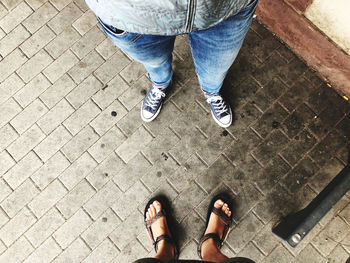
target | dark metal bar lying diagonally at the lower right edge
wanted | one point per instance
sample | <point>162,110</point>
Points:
<point>296,226</point>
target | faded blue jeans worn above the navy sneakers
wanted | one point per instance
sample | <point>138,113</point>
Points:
<point>213,50</point>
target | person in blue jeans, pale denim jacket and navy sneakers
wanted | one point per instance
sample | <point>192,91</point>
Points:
<point>146,31</point>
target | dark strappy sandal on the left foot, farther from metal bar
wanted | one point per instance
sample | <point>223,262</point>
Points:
<point>148,224</point>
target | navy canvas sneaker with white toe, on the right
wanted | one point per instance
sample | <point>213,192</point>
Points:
<point>220,110</point>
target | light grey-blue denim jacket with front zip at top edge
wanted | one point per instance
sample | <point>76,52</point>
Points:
<point>165,17</point>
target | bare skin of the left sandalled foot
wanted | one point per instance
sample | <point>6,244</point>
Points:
<point>165,250</point>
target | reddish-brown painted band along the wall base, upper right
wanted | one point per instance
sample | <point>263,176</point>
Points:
<point>286,20</point>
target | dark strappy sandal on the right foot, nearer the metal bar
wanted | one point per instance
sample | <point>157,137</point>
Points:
<point>224,218</point>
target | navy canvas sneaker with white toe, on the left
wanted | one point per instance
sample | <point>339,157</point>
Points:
<point>152,104</point>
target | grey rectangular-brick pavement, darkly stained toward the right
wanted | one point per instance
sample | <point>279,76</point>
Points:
<point>77,164</point>
